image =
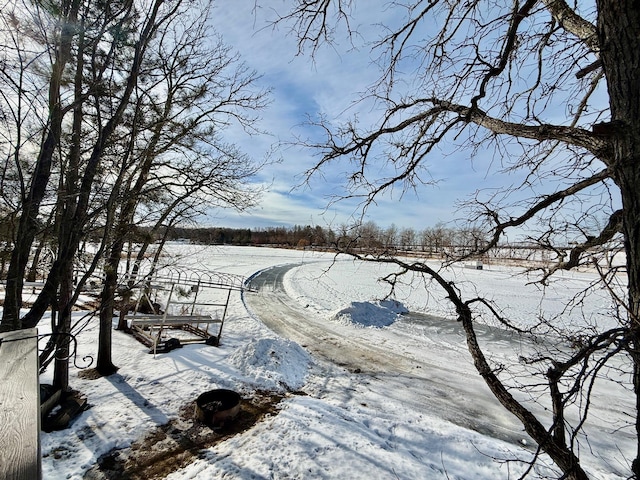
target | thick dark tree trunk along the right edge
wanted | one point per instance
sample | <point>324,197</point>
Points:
<point>619,36</point>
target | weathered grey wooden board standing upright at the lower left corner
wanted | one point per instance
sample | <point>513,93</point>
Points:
<point>19,406</point>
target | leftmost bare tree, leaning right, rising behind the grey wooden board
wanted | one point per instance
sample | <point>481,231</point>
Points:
<point>16,100</point>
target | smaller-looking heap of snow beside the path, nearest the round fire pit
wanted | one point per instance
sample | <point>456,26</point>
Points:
<point>273,363</point>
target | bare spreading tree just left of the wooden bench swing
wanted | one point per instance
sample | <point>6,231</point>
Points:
<point>192,87</point>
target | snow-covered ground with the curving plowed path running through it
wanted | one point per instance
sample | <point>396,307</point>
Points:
<point>342,415</point>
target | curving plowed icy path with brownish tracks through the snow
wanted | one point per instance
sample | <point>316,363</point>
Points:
<point>403,358</point>
